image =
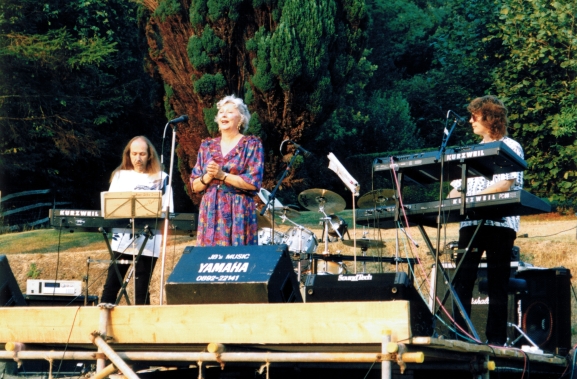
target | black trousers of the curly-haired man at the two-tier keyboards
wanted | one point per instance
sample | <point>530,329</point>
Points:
<point>498,244</point>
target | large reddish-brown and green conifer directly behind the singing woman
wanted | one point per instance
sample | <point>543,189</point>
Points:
<point>289,60</point>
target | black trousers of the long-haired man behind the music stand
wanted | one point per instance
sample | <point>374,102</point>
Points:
<point>143,273</point>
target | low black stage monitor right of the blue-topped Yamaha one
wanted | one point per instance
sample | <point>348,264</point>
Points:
<point>372,287</point>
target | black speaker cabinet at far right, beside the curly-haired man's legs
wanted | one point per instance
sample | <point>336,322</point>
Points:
<point>546,308</point>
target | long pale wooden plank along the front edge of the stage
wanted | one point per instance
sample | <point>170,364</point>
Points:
<point>309,323</point>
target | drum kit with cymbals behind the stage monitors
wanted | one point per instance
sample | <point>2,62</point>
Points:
<point>302,242</point>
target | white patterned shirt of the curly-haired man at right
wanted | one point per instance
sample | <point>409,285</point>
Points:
<point>478,183</point>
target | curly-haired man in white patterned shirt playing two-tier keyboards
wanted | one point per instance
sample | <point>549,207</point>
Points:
<point>495,237</point>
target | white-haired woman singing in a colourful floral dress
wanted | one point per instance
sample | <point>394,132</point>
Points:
<point>229,169</point>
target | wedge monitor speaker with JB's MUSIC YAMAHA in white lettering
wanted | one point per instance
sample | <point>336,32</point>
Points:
<point>233,274</point>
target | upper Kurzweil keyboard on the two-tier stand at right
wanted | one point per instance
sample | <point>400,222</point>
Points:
<point>484,159</point>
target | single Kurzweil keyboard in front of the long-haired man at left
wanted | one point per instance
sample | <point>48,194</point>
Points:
<point>90,221</point>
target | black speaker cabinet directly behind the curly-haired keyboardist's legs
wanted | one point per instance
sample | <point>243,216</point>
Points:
<point>479,301</point>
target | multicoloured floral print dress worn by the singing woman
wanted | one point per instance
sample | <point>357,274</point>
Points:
<point>227,215</point>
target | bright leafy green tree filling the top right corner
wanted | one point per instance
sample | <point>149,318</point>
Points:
<point>537,79</point>
